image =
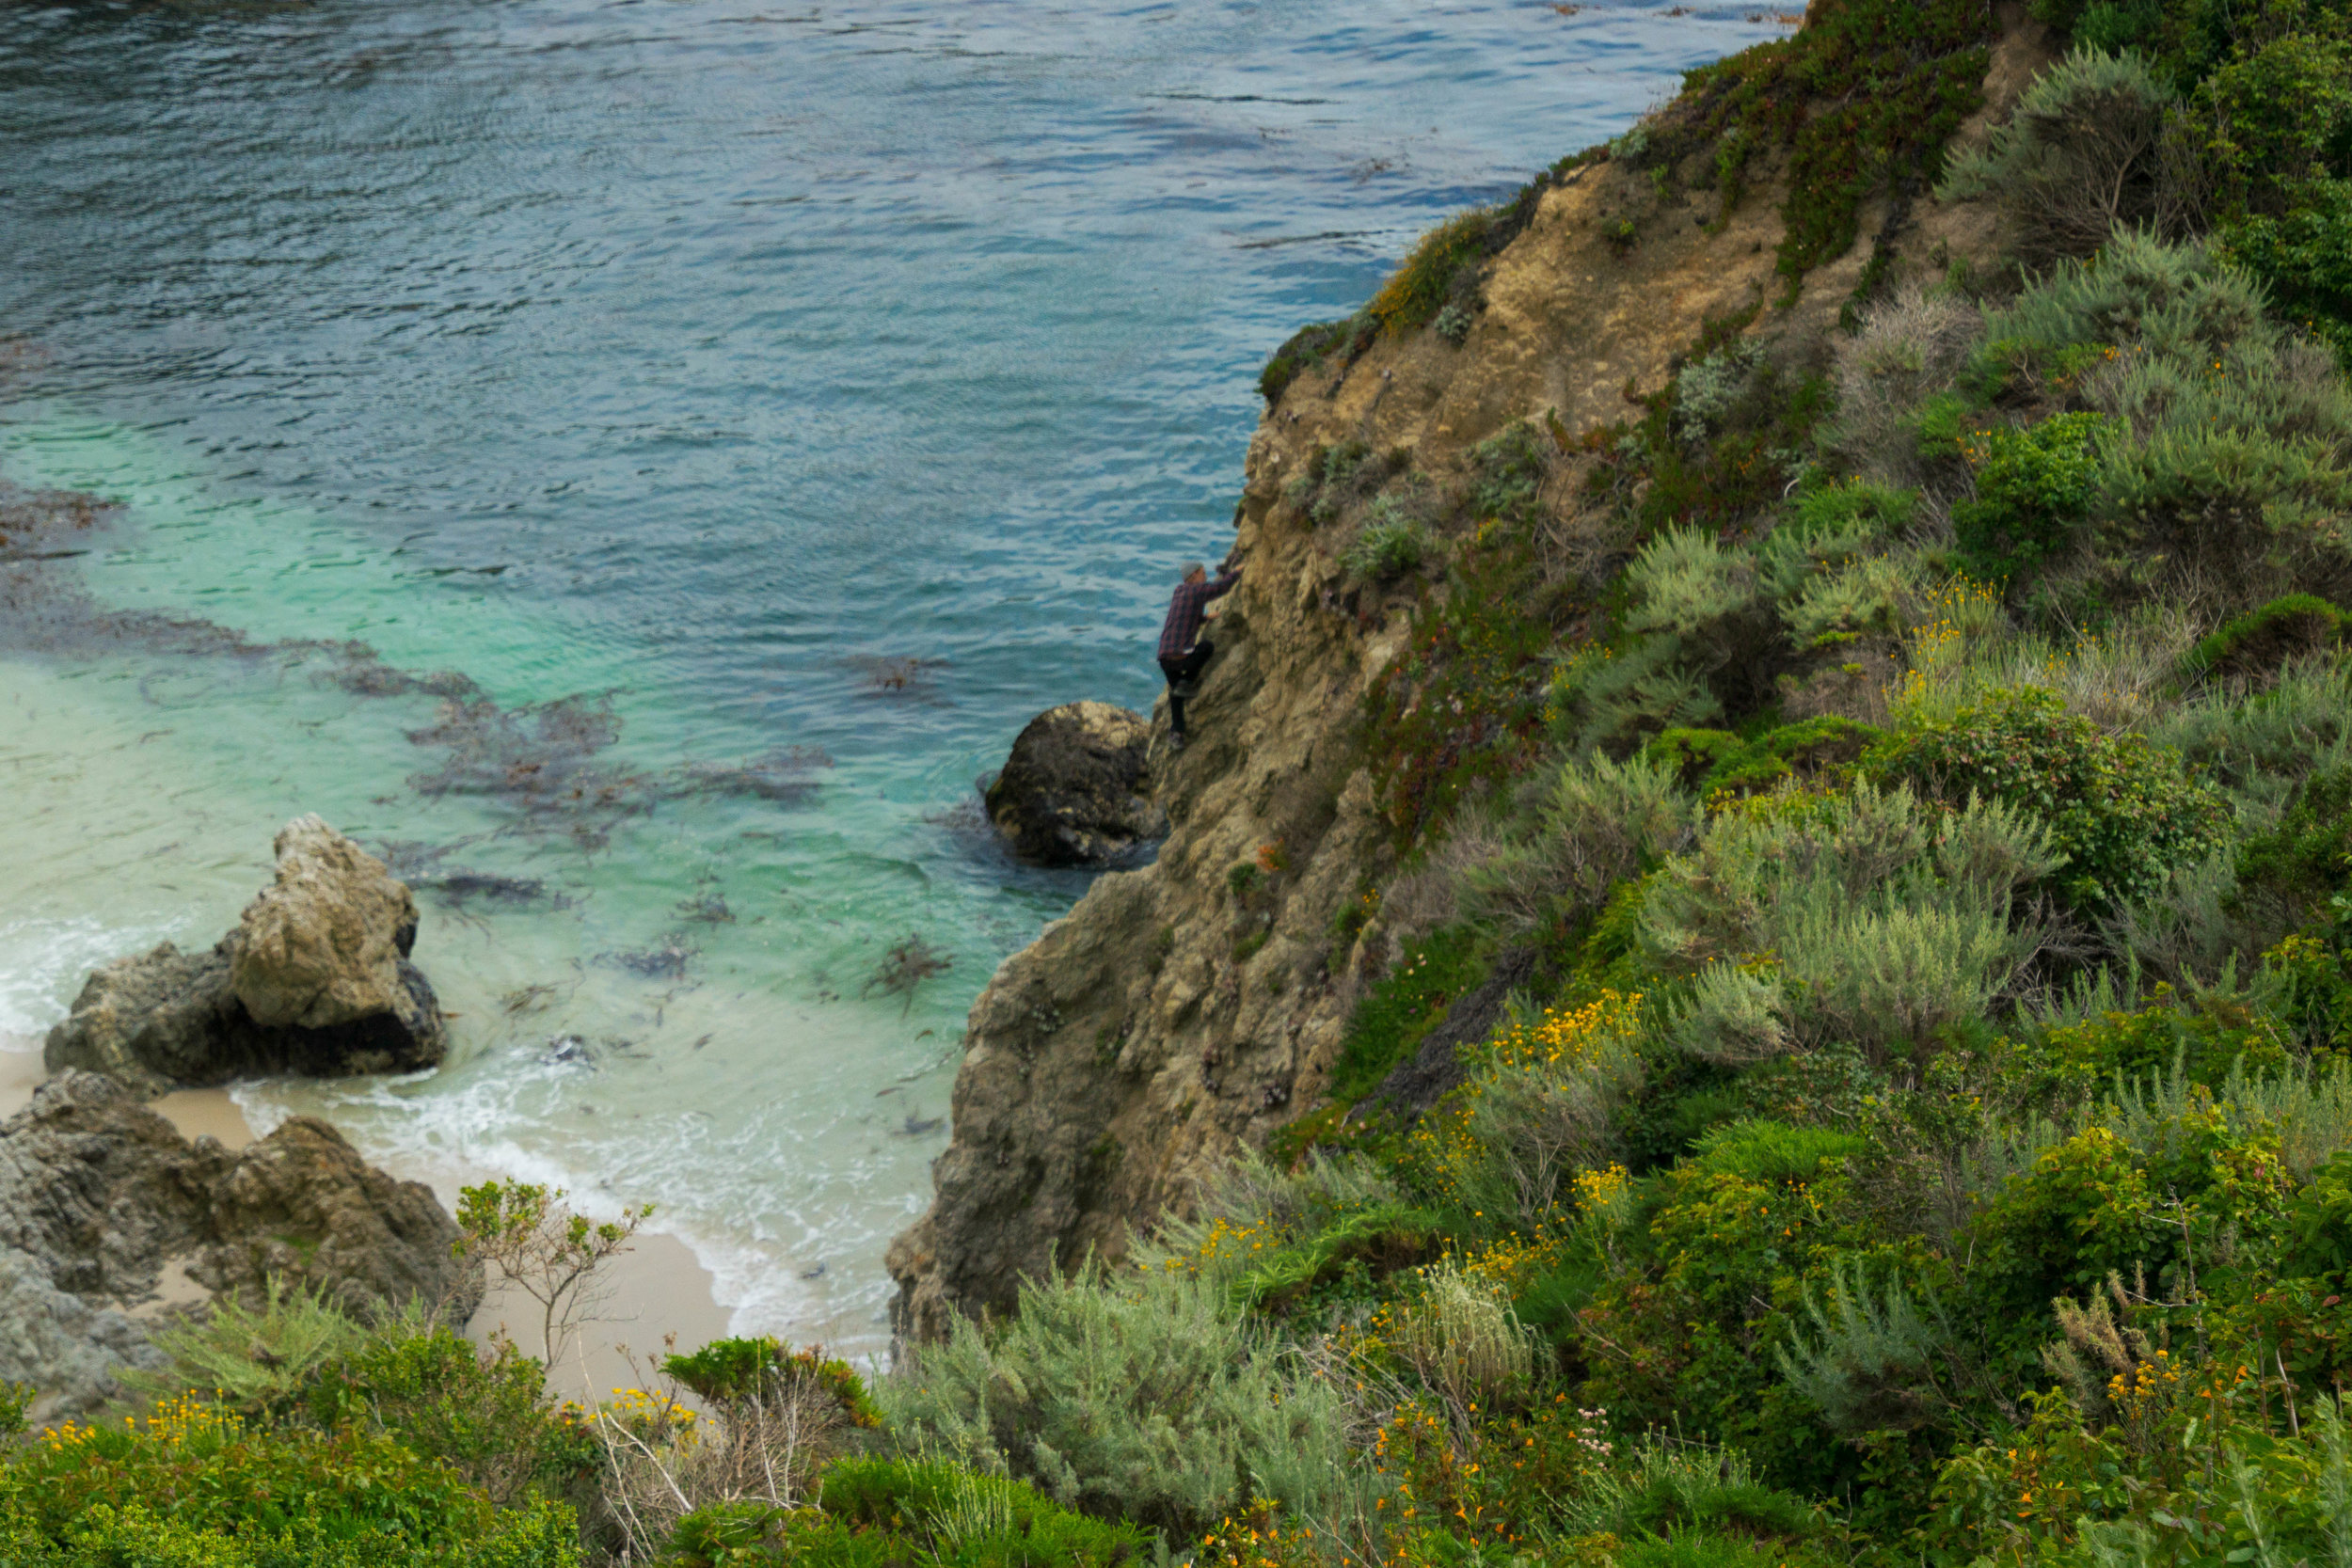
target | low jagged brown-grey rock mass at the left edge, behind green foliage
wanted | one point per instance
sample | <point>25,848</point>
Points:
<point>109,1217</point>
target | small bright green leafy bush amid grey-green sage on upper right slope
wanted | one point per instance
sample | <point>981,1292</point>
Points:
<point>2033,492</point>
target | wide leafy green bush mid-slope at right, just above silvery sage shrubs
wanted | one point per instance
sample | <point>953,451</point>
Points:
<point>2118,810</point>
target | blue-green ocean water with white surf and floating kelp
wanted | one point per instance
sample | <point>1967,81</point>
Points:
<point>636,464</point>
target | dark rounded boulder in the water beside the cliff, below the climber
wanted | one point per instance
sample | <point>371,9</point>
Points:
<point>1076,789</point>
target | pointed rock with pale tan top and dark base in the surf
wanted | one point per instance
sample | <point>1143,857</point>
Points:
<point>316,979</point>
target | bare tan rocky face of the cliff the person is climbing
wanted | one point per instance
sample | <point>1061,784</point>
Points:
<point>1170,1019</point>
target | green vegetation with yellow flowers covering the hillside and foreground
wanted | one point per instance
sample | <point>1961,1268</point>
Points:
<point>1909,786</point>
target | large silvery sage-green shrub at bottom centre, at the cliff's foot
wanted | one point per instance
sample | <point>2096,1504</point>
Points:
<point>1151,1402</point>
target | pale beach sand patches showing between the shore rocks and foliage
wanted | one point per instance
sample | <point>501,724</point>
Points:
<point>655,1296</point>
